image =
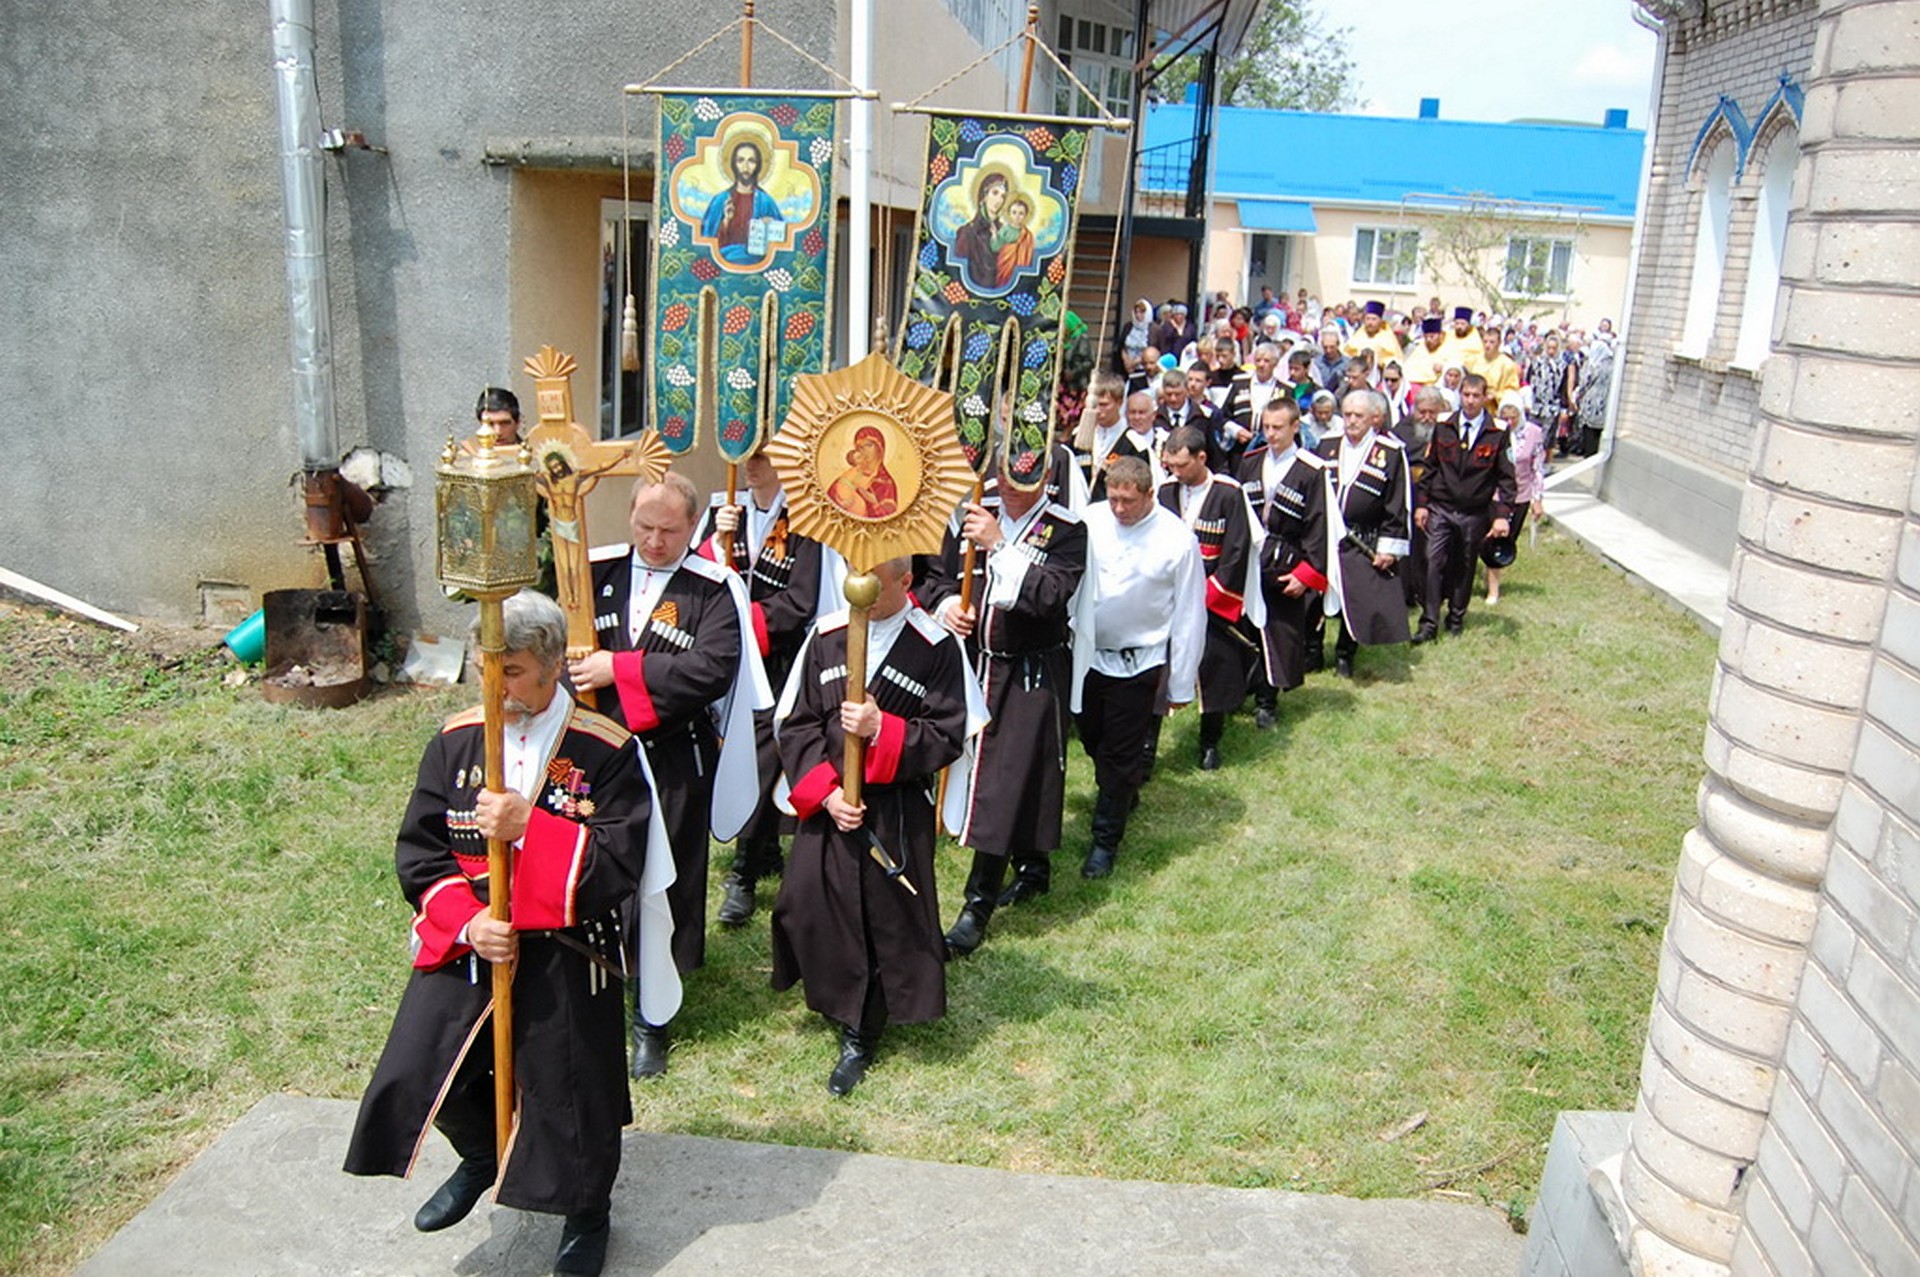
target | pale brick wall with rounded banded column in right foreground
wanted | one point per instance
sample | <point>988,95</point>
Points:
<point>1779,1113</point>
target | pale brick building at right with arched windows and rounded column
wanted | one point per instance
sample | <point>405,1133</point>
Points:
<point>1779,1119</point>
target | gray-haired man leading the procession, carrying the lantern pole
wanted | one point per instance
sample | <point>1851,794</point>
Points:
<point>581,815</point>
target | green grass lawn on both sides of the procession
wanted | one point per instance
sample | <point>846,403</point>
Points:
<point>1433,890</point>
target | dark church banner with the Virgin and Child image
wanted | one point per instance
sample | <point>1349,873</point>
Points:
<point>996,243</point>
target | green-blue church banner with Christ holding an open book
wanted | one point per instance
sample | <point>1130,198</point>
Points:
<point>742,264</point>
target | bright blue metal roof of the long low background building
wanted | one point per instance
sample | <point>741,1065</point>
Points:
<point>1324,158</point>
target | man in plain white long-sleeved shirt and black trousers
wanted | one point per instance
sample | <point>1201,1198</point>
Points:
<point>1149,631</point>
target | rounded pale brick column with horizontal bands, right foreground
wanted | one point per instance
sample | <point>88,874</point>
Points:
<point>1819,533</point>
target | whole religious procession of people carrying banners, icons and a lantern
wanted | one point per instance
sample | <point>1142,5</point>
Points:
<point>928,577</point>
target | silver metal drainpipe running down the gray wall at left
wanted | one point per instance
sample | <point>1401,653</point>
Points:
<point>304,187</point>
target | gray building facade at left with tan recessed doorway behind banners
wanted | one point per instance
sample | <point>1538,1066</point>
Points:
<point>479,206</point>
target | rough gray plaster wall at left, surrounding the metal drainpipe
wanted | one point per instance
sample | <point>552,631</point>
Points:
<point>143,297</point>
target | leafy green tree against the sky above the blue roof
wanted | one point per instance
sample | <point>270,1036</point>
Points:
<point>1291,60</point>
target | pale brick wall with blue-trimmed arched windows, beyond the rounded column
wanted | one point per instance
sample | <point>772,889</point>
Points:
<point>1700,410</point>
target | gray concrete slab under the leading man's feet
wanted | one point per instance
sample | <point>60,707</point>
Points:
<point>270,1197</point>
